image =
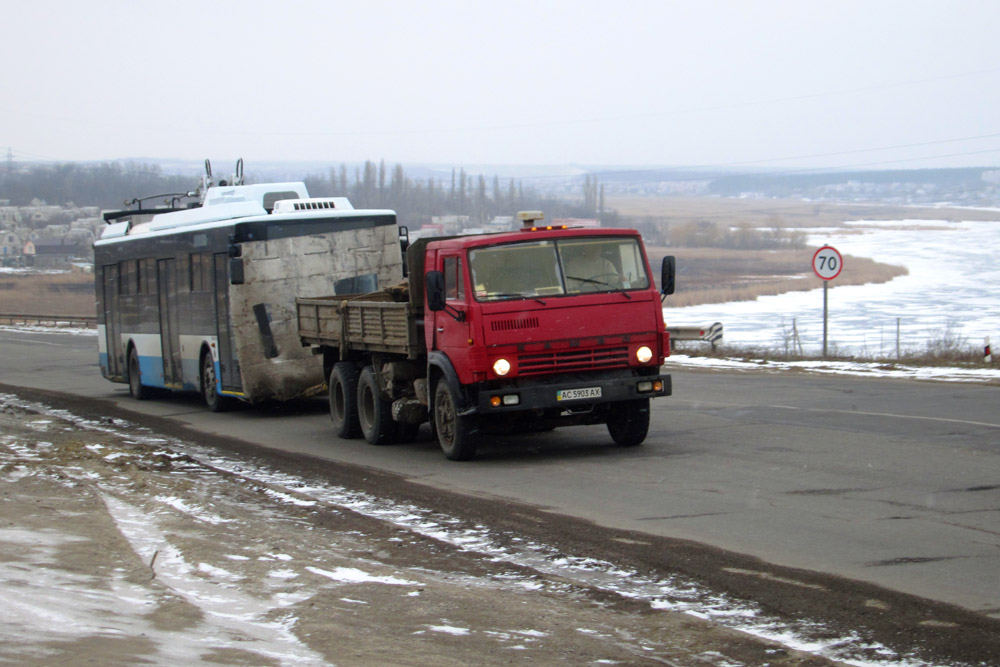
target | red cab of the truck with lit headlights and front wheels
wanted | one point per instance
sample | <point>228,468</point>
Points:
<point>539,328</point>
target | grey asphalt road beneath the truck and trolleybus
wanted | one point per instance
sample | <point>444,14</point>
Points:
<point>891,482</point>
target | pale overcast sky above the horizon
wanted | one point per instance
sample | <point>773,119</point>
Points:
<point>769,83</point>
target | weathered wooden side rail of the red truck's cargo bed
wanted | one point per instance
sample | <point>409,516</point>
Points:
<point>370,322</point>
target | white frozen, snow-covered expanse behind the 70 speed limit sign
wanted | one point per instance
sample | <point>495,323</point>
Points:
<point>951,292</point>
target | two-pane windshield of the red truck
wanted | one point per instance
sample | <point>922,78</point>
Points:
<point>535,269</point>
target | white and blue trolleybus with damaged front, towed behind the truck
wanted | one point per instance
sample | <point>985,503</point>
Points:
<point>202,298</point>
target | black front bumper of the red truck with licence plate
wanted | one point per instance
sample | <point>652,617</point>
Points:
<point>577,392</point>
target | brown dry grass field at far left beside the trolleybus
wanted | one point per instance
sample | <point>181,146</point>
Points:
<point>70,294</point>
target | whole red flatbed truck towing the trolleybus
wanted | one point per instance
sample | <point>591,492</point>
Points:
<point>525,330</point>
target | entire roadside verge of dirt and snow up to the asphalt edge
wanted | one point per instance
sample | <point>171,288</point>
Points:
<point>125,542</point>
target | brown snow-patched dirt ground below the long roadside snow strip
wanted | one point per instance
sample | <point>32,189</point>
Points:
<point>120,549</point>
